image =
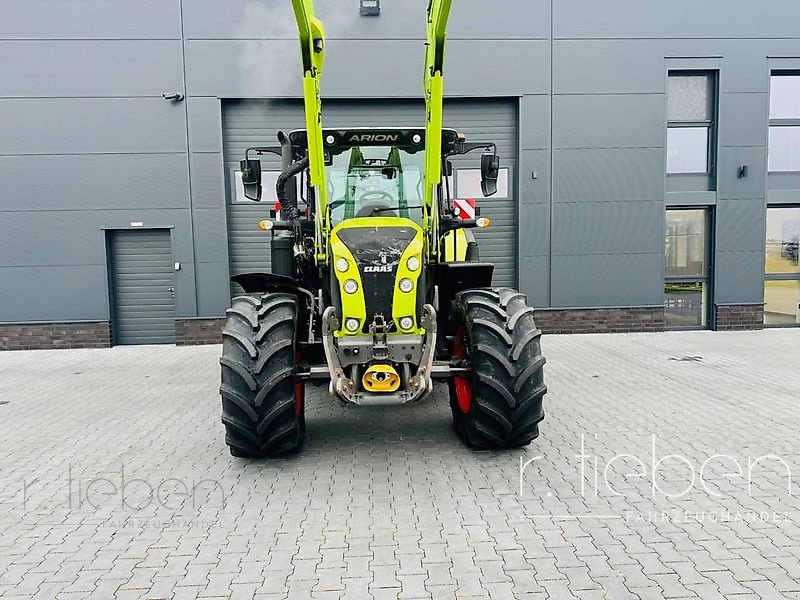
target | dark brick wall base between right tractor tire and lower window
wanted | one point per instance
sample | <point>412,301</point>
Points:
<point>600,320</point>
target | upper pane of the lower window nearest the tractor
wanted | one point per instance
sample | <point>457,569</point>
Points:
<point>685,243</point>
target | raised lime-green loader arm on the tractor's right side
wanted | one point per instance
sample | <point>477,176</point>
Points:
<point>433,83</point>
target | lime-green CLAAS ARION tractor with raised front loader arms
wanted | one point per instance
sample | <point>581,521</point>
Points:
<point>376,287</point>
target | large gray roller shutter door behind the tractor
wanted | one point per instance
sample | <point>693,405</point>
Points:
<point>255,122</point>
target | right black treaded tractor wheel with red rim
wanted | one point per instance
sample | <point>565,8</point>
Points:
<point>499,405</point>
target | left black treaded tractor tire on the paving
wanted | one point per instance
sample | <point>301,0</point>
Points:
<point>263,402</point>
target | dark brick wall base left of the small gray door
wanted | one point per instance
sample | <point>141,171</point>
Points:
<point>39,336</point>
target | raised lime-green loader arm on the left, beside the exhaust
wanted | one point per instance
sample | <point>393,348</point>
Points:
<point>312,54</point>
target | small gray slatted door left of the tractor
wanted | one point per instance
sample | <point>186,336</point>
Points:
<point>142,287</point>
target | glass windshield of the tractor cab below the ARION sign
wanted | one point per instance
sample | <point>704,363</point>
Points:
<point>376,181</point>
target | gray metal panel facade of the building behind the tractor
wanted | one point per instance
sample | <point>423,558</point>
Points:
<point>87,142</point>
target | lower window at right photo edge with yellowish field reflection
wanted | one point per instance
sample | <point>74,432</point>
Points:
<point>782,269</point>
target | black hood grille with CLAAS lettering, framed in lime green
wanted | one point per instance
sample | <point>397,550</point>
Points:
<point>377,251</point>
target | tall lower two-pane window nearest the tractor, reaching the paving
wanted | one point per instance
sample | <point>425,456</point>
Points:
<point>686,267</point>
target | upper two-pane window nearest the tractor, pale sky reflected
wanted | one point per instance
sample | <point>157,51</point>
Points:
<point>691,129</point>
